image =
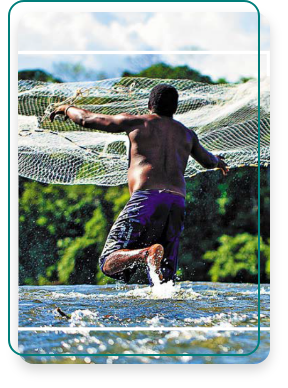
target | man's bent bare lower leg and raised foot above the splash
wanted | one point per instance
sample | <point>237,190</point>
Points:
<point>125,258</point>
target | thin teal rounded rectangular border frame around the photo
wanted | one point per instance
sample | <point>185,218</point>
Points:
<point>259,186</point>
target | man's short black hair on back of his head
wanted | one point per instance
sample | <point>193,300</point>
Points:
<point>163,100</point>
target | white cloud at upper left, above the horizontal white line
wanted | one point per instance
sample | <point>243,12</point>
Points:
<point>71,31</point>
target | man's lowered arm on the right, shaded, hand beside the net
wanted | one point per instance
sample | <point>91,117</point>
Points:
<point>206,158</point>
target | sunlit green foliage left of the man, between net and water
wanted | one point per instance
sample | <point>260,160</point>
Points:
<point>63,230</point>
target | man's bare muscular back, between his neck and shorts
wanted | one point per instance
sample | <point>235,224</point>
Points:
<point>160,149</point>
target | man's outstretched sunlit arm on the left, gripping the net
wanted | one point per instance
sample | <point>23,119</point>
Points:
<point>107,123</point>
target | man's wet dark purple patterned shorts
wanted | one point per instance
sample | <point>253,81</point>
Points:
<point>150,217</point>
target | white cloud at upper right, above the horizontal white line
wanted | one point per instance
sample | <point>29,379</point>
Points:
<point>206,30</point>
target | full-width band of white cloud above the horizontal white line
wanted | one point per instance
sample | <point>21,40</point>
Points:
<point>140,30</point>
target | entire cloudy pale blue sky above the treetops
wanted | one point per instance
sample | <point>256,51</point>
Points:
<point>149,31</point>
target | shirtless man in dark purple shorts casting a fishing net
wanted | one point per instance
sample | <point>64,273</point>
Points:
<point>148,230</point>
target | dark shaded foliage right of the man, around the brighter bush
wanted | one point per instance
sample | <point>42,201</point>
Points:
<point>218,205</point>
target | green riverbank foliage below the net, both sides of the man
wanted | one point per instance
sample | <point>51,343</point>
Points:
<point>63,229</point>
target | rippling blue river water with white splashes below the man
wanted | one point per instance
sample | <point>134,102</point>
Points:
<point>149,318</point>
